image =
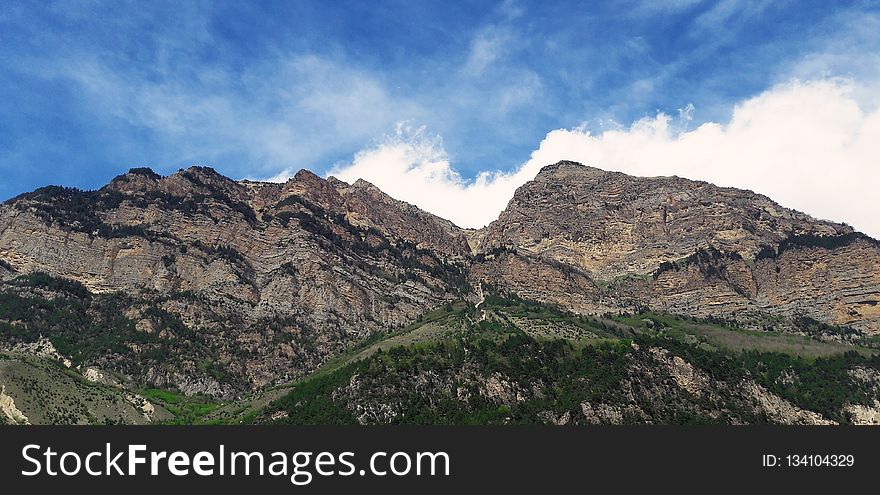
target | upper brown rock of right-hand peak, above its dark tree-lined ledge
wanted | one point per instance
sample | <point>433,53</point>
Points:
<point>578,209</point>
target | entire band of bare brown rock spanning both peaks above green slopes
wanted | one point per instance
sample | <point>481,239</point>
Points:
<point>220,286</point>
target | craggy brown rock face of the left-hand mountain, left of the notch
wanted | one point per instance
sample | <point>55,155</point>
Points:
<point>280,276</point>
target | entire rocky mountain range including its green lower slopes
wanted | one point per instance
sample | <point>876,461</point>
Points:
<point>206,297</point>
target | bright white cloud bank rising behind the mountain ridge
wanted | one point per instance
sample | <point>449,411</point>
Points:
<point>813,146</point>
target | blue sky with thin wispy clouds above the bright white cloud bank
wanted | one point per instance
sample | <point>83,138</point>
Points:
<point>90,89</point>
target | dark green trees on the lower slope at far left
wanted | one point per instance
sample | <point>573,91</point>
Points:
<point>94,329</point>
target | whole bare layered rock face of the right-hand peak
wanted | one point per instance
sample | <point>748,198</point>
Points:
<point>596,241</point>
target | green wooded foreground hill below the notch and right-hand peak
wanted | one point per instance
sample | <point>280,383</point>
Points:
<point>472,344</point>
